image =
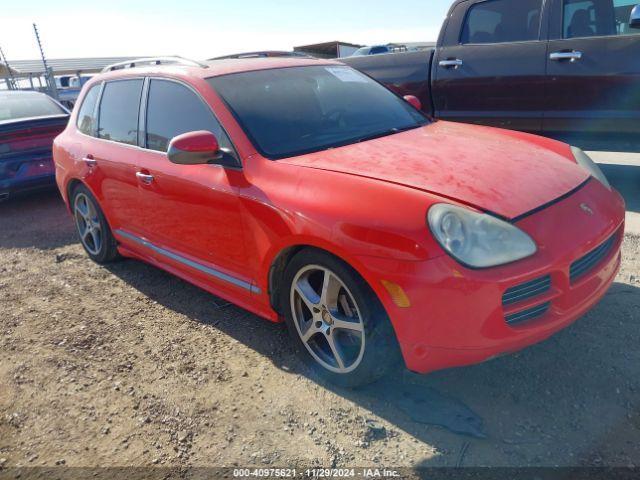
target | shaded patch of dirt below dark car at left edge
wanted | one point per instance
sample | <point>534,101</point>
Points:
<point>37,219</point>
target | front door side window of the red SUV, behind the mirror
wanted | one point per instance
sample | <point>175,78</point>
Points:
<point>174,109</point>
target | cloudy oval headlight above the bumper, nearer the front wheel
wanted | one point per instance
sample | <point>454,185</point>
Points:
<point>478,240</point>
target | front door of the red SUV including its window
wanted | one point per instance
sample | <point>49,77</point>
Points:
<point>192,215</point>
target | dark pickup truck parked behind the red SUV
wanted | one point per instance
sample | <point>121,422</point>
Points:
<point>566,69</point>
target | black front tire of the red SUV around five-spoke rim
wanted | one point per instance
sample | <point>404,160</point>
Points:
<point>381,350</point>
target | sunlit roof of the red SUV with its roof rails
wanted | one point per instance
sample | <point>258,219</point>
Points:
<point>215,68</point>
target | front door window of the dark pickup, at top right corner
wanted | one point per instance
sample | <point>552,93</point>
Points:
<point>596,18</point>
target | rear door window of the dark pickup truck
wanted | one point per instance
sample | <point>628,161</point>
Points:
<point>501,21</point>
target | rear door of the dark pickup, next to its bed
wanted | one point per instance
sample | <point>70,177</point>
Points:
<point>490,68</point>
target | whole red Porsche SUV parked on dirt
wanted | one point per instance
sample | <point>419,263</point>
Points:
<point>304,191</point>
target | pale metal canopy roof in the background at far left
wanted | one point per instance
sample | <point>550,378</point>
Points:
<point>60,66</point>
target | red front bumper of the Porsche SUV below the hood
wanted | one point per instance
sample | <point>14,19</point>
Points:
<point>457,316</point>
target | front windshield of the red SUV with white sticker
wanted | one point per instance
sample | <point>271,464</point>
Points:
<point>291,111</point>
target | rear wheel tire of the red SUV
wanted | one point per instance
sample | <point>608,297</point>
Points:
<point>105,249</point>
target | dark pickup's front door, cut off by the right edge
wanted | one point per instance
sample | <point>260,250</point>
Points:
<point>593,71</point>
